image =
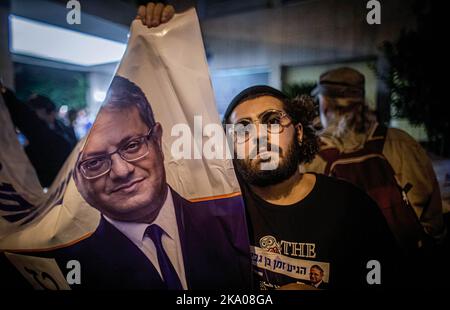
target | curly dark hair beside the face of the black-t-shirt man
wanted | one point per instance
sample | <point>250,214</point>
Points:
<point>302,110</point>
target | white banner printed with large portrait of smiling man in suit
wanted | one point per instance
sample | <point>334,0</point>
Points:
<point>143,162</point>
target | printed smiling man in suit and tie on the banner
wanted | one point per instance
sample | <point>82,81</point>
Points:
<point>149,237</point>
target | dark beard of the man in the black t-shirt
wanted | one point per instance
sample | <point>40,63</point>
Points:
<point>249,169</point>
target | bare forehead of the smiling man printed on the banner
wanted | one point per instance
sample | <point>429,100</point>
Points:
<point>112,127</point>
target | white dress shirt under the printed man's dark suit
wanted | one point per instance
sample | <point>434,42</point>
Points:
<point>170,239</point>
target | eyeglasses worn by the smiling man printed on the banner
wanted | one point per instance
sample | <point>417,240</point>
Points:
<point>133,150</point>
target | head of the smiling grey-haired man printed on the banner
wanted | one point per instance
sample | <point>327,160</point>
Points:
<point>120,171</point>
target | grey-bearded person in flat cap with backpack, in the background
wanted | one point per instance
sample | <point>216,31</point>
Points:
<point>351,128</point>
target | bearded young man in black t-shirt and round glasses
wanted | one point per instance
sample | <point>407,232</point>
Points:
<point>298,220</point>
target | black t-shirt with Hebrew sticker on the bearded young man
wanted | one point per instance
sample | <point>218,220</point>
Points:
<point>332,234</point>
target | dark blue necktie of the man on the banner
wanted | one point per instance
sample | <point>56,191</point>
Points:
<point>168,272</point>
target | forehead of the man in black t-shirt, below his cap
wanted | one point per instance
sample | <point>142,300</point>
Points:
<point>254,107</point>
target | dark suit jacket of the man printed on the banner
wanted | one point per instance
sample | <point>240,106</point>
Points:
<point>214,241</point>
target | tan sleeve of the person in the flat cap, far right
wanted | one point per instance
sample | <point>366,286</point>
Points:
<point>412,166</point>
